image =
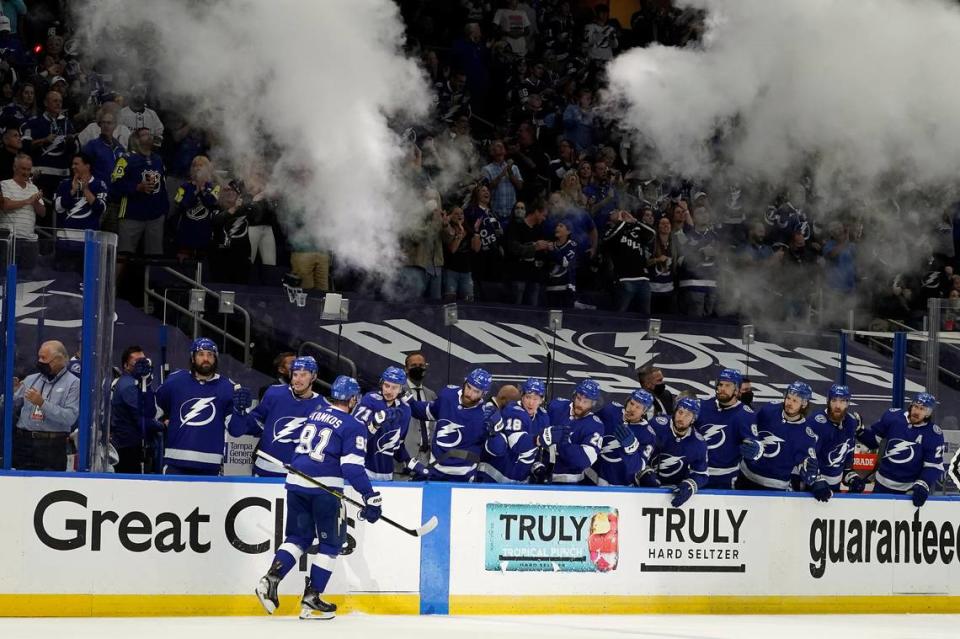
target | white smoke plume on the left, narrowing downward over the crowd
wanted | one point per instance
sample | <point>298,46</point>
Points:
<point>319,80</point>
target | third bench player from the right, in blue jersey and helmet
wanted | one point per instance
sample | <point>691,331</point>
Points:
<point>789,445</point>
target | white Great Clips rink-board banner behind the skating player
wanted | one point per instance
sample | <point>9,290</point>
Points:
<point>170,537</point>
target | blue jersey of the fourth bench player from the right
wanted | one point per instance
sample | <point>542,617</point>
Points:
<point>724,429</point>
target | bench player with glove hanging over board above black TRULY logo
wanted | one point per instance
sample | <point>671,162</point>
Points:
<point>679,455</point>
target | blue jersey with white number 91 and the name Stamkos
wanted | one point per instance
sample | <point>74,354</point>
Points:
<point>332,447</point>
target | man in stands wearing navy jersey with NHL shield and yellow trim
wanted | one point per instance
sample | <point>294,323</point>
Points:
<point>139,179</point>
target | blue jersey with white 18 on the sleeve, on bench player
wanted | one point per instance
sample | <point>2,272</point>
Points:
<point>521,430</point>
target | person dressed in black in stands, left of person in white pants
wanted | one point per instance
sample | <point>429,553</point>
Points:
<point>230,261</point>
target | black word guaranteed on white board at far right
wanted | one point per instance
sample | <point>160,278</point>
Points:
<point>834,542</point>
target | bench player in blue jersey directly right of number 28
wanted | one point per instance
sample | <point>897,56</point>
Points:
<point>628,441</point>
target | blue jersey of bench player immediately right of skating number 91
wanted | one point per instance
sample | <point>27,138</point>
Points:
<point>387,427</point>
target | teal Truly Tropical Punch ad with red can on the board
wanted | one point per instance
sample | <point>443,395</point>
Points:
<point>551,538</point>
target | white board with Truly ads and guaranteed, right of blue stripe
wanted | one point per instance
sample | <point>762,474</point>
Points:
<point>732,545</point>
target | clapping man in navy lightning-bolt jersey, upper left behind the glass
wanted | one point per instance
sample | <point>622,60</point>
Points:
<point>80,202</point>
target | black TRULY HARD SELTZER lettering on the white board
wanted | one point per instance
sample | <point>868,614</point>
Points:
<point>693,539</point>
